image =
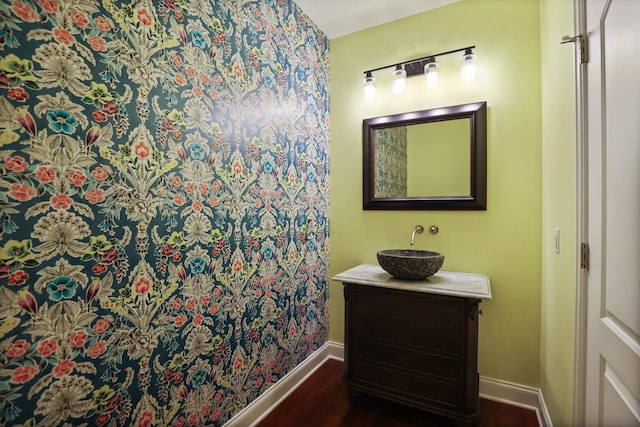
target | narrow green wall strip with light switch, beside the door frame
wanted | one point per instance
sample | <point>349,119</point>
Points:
<point>558,211</point>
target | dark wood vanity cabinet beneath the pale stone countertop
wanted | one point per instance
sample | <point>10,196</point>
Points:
<point>414,348</point>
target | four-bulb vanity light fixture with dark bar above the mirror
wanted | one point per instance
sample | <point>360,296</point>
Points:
<point>427,66</point>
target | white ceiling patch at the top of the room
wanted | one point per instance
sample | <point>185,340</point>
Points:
<point>341,17</point>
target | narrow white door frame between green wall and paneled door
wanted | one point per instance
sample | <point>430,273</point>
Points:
<point>582,221</point>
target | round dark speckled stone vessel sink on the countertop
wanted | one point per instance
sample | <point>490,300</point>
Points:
<point>411,264</point>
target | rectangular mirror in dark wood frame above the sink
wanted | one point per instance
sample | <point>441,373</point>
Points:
<point>426,160</point>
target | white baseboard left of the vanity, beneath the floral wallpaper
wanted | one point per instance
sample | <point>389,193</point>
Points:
<point>259,408</point>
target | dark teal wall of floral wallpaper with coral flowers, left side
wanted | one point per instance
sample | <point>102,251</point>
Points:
<point>163,207</point>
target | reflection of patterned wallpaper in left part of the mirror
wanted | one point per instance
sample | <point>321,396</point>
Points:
<point>390,162</point>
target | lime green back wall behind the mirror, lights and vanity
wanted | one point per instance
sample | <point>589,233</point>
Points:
<point>504,241</point>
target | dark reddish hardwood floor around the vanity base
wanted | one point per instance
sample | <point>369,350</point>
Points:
<point>322,401</point>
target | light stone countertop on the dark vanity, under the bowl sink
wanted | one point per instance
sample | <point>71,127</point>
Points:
<point>466,285</point>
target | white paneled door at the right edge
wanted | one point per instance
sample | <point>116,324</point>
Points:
<point>612,395</point>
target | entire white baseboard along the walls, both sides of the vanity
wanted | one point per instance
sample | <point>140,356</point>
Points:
<point>496,390</point>
